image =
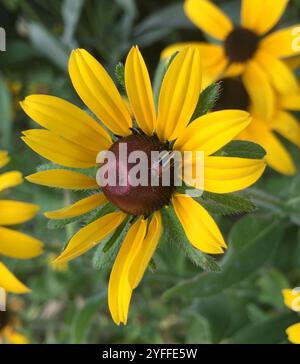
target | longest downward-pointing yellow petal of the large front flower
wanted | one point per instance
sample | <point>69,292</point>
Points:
<point>119,288</point>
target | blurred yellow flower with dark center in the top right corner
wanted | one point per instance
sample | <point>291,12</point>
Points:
<point>248,50</point>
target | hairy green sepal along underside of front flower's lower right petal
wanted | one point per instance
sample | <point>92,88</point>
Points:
<point>175,234</point>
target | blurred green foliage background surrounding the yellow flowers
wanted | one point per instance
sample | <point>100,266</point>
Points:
<point>178,303</point>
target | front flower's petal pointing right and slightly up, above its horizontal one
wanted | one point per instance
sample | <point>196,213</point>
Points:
<point>212,131</point>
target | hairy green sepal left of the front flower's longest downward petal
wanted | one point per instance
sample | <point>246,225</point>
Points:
<point>108,248</point>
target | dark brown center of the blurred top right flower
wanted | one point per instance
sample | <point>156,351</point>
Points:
<point>241,44</point>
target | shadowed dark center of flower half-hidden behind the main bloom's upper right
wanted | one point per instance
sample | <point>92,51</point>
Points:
<point>233,95</point>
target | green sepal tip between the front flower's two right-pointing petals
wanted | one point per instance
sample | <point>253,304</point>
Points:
<point>242,149</point>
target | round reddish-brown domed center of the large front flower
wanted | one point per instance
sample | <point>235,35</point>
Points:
<point>139,189</point>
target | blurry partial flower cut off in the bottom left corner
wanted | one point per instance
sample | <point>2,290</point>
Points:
<point>10,325</point>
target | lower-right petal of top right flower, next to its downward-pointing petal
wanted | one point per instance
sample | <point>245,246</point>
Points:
<point>280,76</point>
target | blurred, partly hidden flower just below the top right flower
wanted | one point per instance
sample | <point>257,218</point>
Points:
<point>264,130</point>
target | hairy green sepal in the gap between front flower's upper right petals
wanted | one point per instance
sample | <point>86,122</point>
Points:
<point>207,100</point>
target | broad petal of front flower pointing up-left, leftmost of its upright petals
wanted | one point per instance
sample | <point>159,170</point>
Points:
<point>98,91</point>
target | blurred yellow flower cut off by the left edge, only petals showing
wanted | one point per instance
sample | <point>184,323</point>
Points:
<point>14,244</point>
